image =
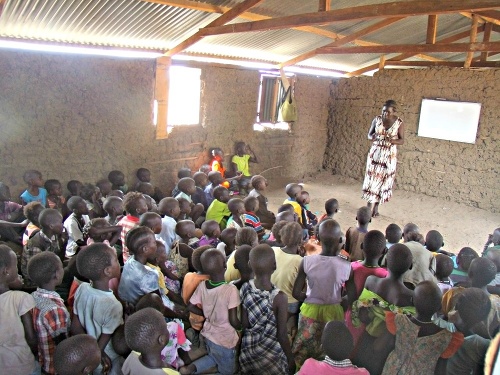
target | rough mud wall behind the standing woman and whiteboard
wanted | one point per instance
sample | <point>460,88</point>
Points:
<point>466,173</point>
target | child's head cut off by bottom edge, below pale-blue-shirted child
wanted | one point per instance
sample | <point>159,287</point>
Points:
<point>77,355</point>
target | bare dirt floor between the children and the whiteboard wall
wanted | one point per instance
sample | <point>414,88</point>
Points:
<point>459,224</point>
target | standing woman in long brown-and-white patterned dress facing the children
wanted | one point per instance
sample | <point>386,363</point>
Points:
<point>386,132</point>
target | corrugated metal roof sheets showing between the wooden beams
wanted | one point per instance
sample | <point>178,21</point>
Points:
<point>150,24</point>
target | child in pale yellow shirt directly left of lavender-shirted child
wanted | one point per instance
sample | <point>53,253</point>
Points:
<point>287,267</point>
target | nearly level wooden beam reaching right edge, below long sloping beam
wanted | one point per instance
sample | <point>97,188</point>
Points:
<point>414,48</point>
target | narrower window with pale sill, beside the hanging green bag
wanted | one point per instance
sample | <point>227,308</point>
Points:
<point>271,93</point>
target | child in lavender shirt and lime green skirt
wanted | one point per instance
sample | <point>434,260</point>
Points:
<point>319,304</point>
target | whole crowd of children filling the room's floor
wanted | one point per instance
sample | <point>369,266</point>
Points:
<point>128,281</point>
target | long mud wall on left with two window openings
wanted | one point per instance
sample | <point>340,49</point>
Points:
<point>79,117</point>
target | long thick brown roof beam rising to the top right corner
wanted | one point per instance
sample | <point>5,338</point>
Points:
<point>393,9</point>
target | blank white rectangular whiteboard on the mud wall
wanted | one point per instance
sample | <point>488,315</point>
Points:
<point>448,120</point>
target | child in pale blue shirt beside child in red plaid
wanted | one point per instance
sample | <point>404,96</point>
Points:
<point>97,312</point>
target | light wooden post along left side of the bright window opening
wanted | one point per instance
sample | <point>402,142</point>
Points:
<point>162,85</point>
